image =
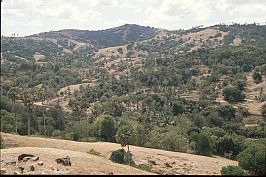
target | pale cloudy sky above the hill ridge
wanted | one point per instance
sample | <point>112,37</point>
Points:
<point>26,17</point>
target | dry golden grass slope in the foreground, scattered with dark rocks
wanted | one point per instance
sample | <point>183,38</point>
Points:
<point>84,163</point>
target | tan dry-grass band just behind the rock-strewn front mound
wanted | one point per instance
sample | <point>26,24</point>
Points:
<point>181,163</point>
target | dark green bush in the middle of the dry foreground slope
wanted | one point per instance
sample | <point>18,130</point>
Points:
<point>122,157</point>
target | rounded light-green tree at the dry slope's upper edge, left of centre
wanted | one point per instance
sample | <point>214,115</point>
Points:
<point>105,127</point>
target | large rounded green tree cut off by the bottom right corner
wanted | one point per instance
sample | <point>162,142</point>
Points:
<point>253,159</point>
